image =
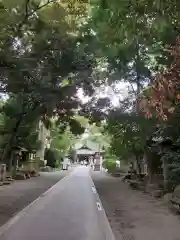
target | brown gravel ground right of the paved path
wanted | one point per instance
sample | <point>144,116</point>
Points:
<point>134,215</point>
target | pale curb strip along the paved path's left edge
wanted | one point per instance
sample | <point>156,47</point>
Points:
<point>23,212</point>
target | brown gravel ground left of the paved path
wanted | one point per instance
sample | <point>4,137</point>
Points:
<point>19,194</point>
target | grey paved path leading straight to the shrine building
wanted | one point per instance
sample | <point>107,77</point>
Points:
<point>71,210</point>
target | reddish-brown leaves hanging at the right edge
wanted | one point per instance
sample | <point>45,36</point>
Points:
<point>162,97</point>
